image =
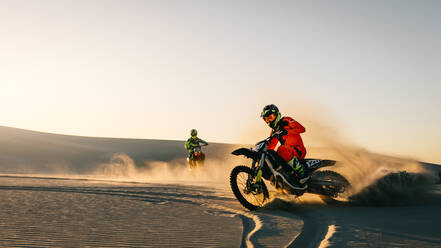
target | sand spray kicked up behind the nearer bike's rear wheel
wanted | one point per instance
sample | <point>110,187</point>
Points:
<point>376,179</point>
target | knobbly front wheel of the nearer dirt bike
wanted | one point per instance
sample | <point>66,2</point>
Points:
<point>250,194</point>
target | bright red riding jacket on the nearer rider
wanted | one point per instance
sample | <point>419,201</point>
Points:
<point>289,143</point>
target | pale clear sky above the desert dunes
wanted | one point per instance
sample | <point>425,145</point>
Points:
<point>367,70</point>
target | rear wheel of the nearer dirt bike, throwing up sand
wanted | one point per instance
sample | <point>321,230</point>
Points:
<point>330,186</point>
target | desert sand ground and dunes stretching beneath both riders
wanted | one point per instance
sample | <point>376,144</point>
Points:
<point>68,191</point>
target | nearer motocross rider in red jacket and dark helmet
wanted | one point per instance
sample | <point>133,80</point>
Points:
<point>288,144</point>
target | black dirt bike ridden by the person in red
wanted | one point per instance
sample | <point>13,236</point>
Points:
<point>252,193</point>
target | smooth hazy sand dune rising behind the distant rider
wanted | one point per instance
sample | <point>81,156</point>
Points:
<point>30,151</point>
